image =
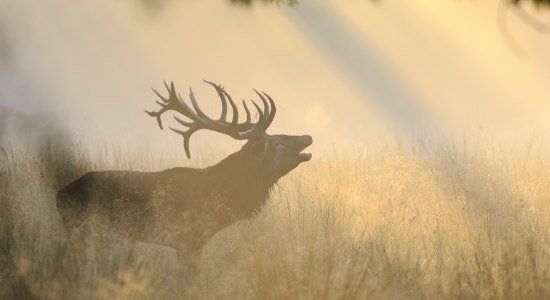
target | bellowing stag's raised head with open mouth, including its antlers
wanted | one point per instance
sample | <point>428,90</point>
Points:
<point>278,153</point>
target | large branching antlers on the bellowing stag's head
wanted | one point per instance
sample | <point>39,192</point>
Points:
<point>199,120</point>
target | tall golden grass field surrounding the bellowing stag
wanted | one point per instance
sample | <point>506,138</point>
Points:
<point>362,224</point>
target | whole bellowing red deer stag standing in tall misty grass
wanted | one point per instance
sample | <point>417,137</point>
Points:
<point>184,207</point>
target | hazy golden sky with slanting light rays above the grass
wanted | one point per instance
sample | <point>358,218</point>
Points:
<point>346,72</point>
